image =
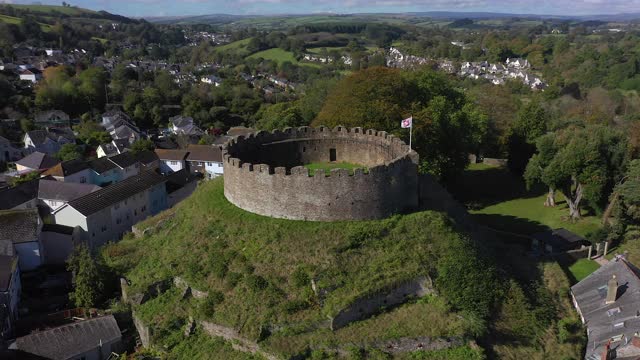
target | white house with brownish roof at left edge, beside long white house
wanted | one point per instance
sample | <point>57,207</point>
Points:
<point>22,228</point>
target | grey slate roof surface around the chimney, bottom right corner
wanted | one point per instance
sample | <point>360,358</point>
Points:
<point>601,319</point>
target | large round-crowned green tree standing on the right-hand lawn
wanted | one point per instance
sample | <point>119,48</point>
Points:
<point>583,163</point>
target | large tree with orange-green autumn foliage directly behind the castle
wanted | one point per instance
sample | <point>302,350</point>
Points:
<point>447,127</point>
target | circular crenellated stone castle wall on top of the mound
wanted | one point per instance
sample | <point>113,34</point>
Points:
<point>264,173</point>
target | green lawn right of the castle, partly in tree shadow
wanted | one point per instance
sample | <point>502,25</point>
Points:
<point>501,200</point>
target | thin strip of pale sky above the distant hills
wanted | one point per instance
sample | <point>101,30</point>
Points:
<point>139,8</point>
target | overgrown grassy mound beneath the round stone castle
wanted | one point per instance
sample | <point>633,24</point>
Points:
<point>258,272</point>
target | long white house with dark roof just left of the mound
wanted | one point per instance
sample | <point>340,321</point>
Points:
<point>107,214</point>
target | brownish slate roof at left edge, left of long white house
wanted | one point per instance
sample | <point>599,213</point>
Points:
<point>19,226</point>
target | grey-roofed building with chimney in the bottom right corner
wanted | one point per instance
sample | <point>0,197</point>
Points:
<point>608,302</point>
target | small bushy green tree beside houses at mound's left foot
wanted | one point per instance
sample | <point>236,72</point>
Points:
<point>87,279</point>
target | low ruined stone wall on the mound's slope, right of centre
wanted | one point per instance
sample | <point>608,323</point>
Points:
<point>370,305</point>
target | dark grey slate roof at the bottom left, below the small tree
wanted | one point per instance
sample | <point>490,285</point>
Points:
<point>70,340</point>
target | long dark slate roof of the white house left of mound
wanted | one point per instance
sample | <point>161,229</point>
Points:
<point>112,194</point>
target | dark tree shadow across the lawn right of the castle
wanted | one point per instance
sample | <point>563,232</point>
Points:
<point>481,188</point>
